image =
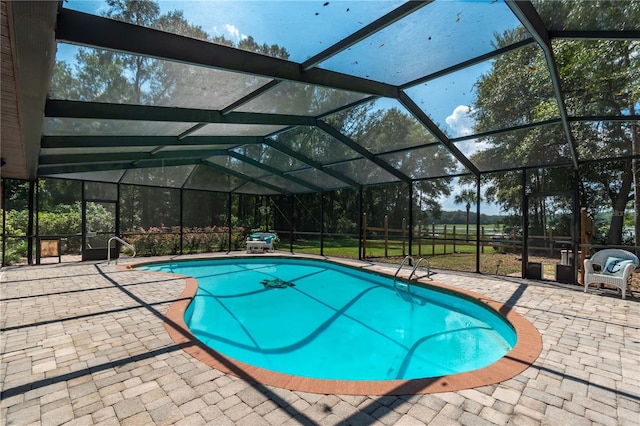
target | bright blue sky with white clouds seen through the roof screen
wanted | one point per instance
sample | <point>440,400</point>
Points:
<point>306,28</point>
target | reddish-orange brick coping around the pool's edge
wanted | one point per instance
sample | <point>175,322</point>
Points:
<point>528,348</point>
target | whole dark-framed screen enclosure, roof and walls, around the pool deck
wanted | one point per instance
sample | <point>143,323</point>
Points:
<point>491,136</point>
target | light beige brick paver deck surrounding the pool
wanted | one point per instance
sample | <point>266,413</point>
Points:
<point>85,343</point>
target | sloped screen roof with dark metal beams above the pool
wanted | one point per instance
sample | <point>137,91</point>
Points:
<point>302,96</point>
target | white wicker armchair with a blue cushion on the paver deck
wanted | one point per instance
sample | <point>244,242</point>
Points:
<point>616,266</point>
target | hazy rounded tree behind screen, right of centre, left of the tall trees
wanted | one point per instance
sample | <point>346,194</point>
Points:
<point>380,130</point>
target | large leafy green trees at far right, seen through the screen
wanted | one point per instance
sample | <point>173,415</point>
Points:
<point>599,78</point>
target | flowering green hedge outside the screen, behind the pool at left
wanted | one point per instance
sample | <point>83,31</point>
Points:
<point>164,240</point>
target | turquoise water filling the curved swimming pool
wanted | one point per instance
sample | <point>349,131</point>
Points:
<point>321,320</point>
